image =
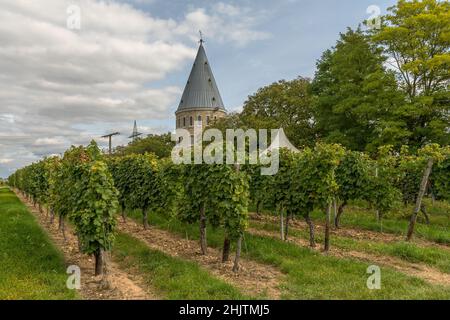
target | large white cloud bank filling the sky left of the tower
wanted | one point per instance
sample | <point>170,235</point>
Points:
<point>54,81</point>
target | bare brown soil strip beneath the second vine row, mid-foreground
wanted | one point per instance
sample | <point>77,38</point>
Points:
<point>253,278</point>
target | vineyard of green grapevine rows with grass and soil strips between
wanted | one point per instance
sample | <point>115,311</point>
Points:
<point>328,214</point>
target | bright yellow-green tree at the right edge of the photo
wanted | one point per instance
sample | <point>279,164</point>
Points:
<point>415,36</point>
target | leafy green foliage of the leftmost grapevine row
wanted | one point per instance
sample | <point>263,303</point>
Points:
<point>78,186</point>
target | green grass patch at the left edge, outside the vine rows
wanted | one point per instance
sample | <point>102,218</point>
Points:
<point>30,265</point>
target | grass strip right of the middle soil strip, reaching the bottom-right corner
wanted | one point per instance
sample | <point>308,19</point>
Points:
<point>312,275</point>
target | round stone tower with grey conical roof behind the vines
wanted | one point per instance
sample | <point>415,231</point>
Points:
<point>201,101</point>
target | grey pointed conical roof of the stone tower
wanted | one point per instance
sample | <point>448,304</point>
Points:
<point>201,91</point>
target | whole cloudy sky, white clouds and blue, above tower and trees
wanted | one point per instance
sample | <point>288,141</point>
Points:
<point>62,85</point>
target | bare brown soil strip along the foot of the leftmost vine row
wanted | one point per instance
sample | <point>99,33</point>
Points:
<point>122,285</point>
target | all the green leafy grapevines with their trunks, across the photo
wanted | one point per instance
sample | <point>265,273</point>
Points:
<point>89,189</point>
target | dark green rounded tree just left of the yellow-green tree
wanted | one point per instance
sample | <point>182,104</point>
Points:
<point>355,94</point>
